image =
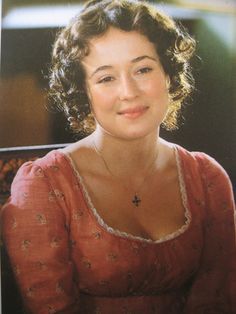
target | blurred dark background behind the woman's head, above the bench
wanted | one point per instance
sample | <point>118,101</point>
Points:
<point>28,31</point>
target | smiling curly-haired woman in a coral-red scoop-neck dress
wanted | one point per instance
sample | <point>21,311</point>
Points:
<point>122,221</point>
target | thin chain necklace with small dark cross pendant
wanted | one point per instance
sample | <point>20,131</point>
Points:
<point>136,199</point>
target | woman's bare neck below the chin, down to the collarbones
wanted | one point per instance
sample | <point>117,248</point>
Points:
<point>127,157</point>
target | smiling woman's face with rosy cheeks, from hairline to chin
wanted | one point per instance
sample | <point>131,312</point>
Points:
<point>126,84</point>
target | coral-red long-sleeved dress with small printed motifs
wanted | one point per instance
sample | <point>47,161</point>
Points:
<point>66,259</point>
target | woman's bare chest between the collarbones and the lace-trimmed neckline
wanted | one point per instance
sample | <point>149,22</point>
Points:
<point>159,212</point>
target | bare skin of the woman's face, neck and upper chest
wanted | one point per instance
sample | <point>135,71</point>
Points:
<point>128,92</point>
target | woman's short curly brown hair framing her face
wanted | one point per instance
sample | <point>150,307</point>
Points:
<point>173,44</point>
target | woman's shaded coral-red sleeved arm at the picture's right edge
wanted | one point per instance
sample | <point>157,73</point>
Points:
<point>214,285</point>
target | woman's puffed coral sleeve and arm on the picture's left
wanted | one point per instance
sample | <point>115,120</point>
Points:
<point>36,237</point>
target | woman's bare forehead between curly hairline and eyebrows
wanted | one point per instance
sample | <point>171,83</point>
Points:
<point>117,45</point>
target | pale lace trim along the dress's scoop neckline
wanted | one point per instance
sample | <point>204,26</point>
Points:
<point>118,233</point>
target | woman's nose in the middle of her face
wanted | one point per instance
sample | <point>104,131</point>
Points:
<point>128,88</point>
